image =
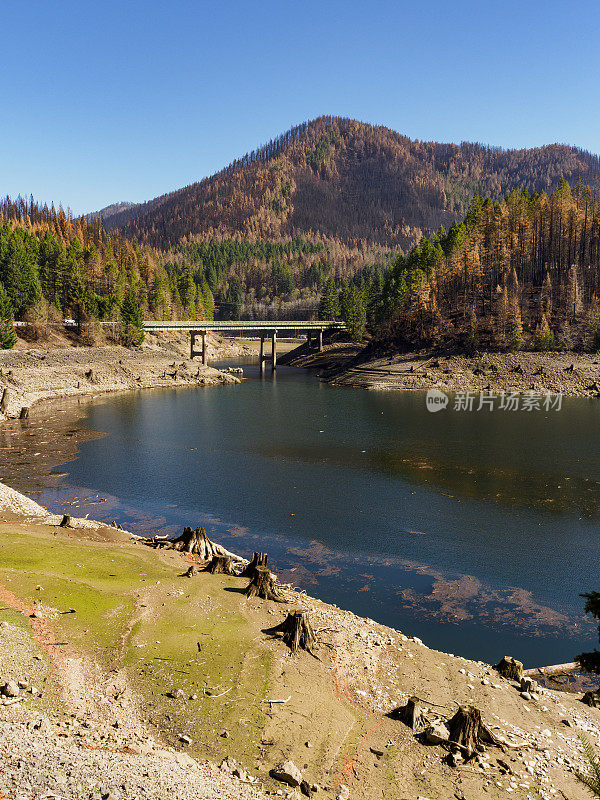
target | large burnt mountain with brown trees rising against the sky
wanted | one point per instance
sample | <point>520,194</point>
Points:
<point>351,181</point>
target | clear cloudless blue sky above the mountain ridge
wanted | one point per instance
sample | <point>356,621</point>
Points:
<point>107,101</point>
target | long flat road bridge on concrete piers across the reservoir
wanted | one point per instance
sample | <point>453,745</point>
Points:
<point>263,328</point>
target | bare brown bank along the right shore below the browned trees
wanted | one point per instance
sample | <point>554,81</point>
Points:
<point>573,374</point>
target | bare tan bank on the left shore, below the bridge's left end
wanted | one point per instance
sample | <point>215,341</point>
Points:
<point>30,376</point>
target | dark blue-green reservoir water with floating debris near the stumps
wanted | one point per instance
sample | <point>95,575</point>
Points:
<point>474,531</point>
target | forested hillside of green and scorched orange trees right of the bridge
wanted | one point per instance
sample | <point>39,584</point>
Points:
<point>523,272</point>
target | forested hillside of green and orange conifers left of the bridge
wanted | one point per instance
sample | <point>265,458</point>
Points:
<point>53,266</point>
